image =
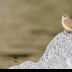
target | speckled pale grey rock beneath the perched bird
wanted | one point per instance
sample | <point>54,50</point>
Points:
<point>58,55</point>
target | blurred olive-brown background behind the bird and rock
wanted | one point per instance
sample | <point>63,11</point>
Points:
<point>27,26</point>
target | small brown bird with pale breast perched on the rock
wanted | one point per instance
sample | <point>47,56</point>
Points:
<point>66,22</point>
